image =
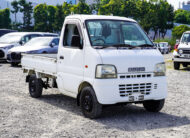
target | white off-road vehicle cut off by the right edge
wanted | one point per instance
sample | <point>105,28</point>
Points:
<point>182,52</point>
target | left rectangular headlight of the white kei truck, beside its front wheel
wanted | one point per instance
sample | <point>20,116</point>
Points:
<point>106,72</point>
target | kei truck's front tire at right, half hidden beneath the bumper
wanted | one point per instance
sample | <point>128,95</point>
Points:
<point>153,105</point>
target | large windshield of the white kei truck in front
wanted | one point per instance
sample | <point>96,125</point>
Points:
<point>110,32</point>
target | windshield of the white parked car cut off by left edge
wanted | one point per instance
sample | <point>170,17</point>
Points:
<point>10,38</point>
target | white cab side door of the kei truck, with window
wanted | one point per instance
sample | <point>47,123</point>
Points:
<point>70,60</point>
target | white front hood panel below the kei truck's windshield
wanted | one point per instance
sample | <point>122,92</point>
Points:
<point>125,59</point>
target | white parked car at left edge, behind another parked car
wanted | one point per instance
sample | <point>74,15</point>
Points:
<point>15,39</point>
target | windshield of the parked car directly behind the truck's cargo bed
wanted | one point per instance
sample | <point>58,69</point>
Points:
<point>40,41</point>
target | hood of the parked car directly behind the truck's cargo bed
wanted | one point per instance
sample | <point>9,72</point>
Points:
<point>23,49</point>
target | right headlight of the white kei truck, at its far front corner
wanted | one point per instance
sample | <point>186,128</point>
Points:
<point>160,69</point>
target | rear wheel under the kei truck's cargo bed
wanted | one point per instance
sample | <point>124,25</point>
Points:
<point>35,87</point>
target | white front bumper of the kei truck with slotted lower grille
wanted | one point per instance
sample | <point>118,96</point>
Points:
<point>136,89</point>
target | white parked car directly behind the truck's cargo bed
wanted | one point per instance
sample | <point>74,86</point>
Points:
<point>36,45</point>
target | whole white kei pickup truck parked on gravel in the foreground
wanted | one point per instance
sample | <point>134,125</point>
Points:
<point>101,60</point>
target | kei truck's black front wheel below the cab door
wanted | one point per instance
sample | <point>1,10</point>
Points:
<point>89,104</point>
